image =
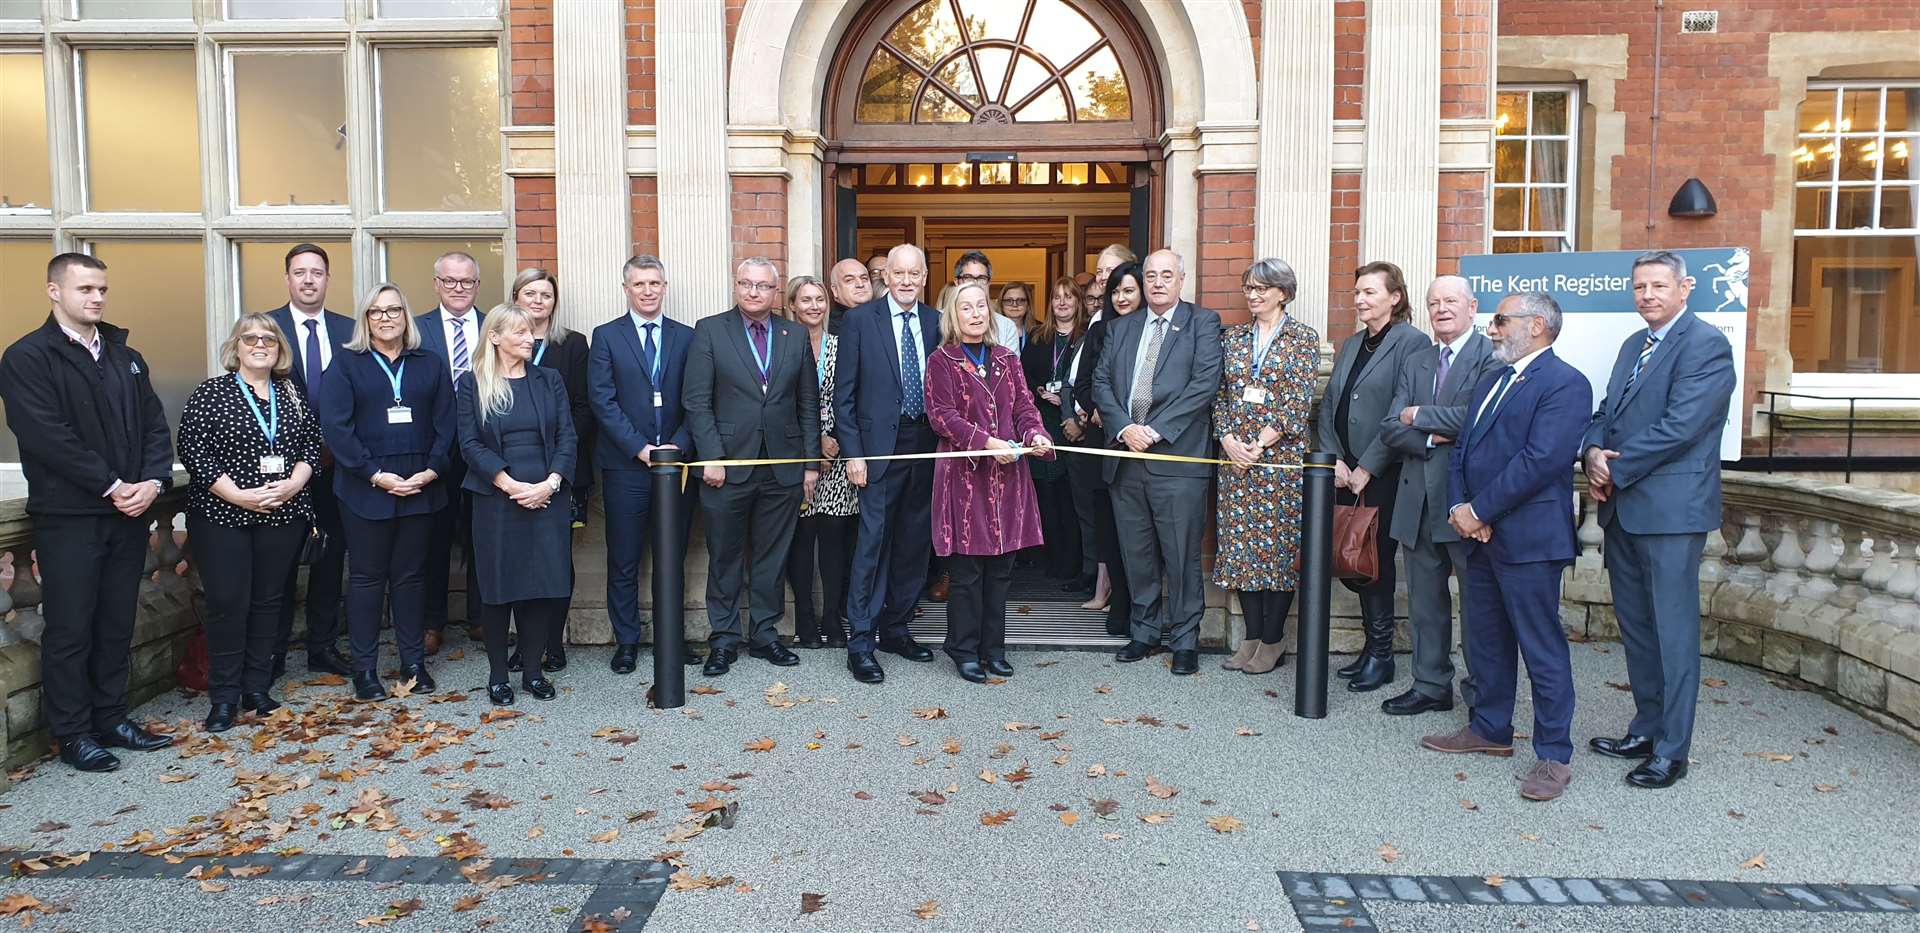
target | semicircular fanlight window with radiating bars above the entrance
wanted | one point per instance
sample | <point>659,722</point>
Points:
<point>994,62</point>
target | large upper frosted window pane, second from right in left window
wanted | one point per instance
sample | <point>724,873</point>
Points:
<point>289,122</point>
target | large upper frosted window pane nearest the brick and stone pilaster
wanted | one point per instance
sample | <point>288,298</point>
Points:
<point>441,130</point>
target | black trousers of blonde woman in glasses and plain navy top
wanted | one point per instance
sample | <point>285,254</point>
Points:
<point>387,556</point>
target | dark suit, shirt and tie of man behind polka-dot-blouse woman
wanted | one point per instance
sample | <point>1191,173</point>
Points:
<point>327,575</point>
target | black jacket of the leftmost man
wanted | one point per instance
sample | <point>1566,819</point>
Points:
<point>60,406</point>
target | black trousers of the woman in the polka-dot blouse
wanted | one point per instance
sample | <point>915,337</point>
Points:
<point>243,571</point>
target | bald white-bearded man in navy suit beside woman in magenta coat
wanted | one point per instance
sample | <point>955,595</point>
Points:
<point>880,408</point>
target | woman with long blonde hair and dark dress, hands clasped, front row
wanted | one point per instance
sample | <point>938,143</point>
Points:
<point>517,439</point>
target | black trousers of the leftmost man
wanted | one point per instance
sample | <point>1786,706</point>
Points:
<point>91,586</point>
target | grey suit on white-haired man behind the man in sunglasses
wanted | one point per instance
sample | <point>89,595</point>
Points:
<point>1420,523</point>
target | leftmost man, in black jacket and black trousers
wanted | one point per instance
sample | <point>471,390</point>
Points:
<point>97,452</point>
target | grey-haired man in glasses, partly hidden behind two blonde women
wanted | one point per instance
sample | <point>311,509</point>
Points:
<point>452,331</point>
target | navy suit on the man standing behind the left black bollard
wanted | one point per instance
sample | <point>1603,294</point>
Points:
<point>621,395</point>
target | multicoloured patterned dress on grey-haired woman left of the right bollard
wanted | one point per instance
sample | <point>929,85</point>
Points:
<point>1260,510</point>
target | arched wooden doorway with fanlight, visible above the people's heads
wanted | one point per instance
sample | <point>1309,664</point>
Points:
<point>1022,128</point>
